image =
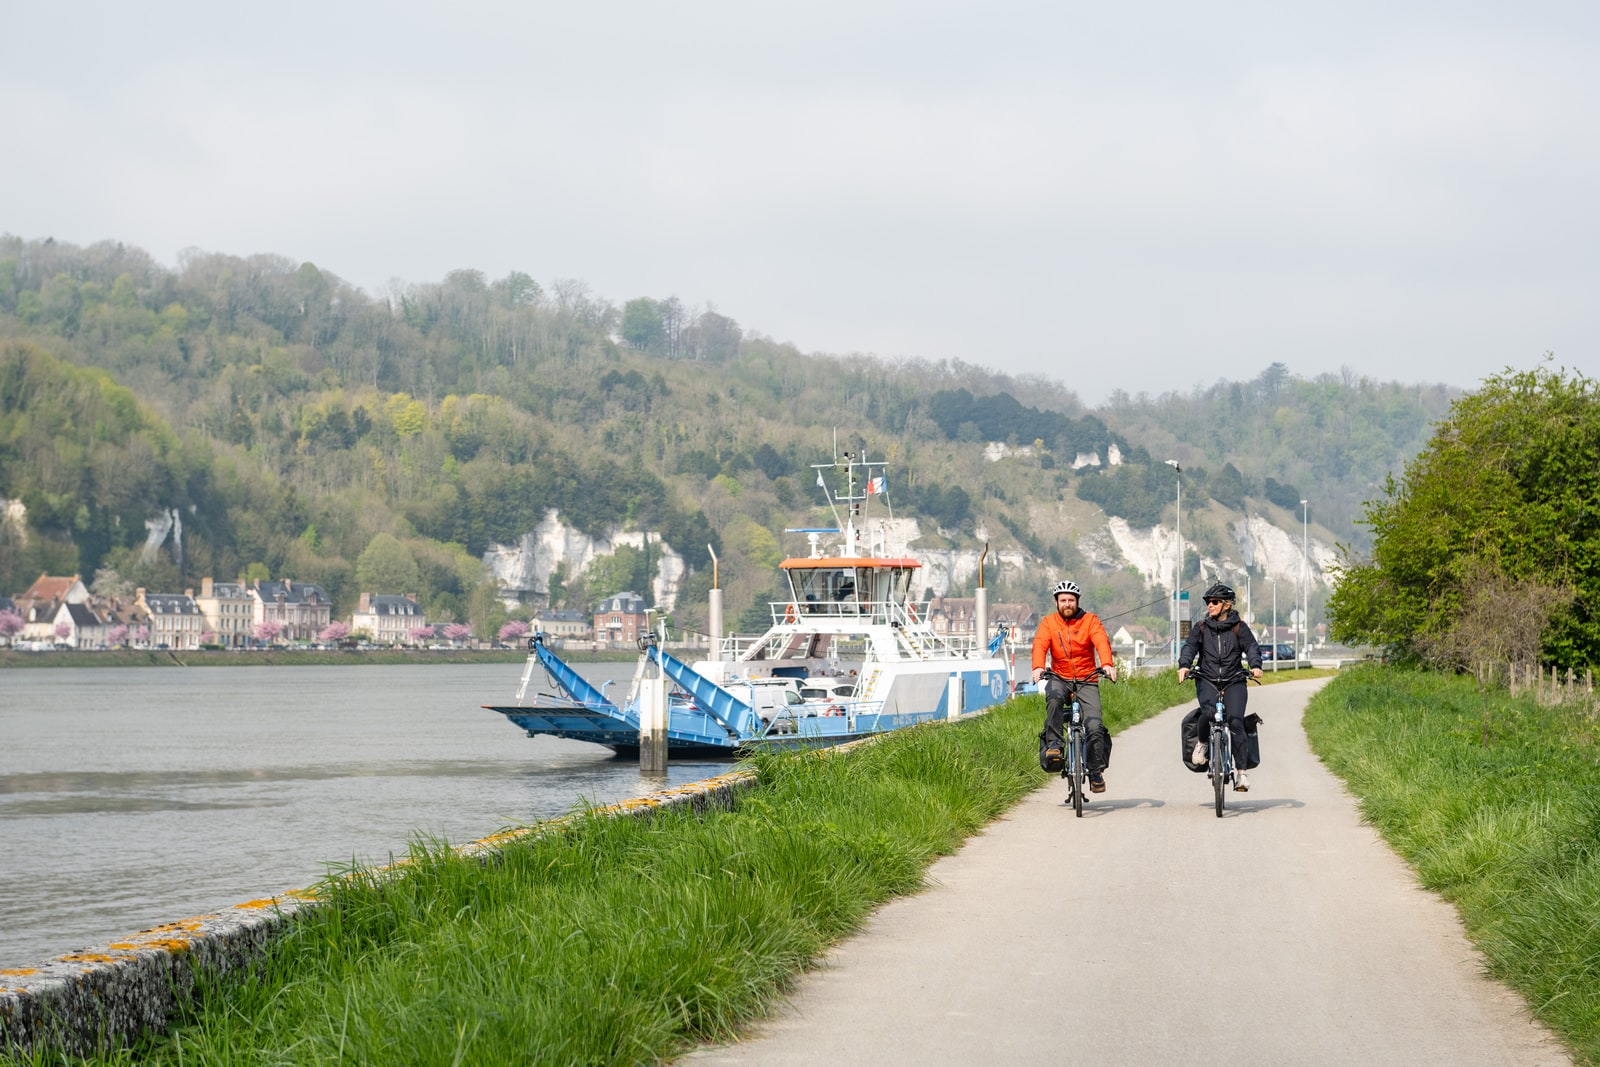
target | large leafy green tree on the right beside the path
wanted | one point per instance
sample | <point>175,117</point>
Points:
<point>1510,487</point>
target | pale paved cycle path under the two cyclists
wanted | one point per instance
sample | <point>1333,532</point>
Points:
<point>1052,940</point>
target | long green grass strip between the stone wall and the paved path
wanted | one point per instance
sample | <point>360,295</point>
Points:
<point>620,941</point>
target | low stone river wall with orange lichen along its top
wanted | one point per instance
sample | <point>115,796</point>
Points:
<point>106,996</point>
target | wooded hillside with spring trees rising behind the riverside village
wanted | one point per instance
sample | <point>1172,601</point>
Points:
<point>303,428</point>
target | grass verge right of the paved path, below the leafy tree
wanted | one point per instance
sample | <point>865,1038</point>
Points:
<point>1497,804</point>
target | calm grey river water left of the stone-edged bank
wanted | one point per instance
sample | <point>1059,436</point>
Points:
<point>134,797</point>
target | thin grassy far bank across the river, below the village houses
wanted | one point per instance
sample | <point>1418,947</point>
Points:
<point>284,658</point>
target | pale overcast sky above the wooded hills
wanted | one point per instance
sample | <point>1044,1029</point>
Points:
<point>1138,196</point>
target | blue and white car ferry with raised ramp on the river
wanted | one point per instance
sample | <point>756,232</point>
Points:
<point>849,653</point>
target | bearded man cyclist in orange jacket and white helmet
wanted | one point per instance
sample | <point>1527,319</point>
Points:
<point>1068,644</point>
